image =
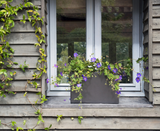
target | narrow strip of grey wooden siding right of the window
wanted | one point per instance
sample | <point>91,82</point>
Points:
<point>156,51</point>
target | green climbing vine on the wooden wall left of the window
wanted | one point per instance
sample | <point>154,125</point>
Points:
<point>7,14</point>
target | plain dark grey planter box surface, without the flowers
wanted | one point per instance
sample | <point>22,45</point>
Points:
<point>95,91</point>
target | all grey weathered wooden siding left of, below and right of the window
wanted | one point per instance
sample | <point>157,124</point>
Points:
<point>17,108</point>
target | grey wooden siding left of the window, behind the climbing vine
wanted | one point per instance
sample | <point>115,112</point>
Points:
<point>17,107</point>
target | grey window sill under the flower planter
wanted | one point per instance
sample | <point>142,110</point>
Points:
<point>124,102</point>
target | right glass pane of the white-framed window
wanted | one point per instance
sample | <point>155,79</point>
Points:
<point>117,32</point>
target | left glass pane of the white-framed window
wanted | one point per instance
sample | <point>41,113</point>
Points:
<point>71,31</point>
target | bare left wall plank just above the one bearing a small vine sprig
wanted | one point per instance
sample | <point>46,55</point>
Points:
<point>25,50</point>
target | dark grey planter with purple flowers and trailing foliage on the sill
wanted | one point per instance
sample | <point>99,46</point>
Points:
<point>94,81</point>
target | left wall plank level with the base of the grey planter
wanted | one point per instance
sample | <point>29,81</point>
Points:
<point>19,99</point>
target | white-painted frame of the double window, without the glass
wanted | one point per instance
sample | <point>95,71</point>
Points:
<point>93,28</point>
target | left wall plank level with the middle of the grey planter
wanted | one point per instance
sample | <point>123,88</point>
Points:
<point>19,86</point>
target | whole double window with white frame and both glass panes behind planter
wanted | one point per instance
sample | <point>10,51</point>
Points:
<point>103,27</point>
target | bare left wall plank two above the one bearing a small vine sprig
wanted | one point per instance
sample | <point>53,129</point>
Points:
<point>22,38</point>
